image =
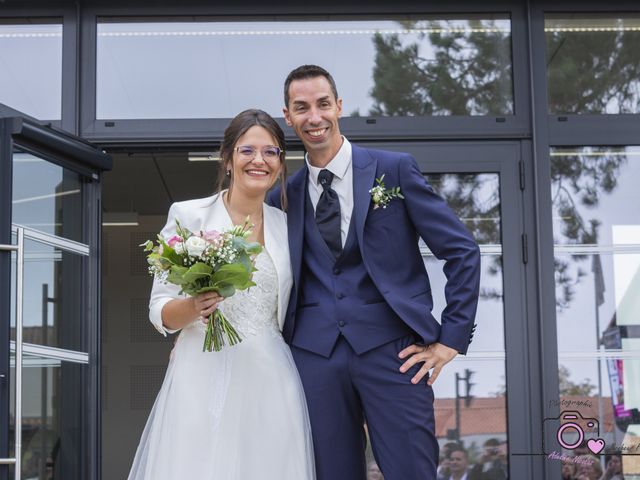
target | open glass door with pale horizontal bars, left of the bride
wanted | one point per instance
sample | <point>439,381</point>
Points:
<point>49,231</point>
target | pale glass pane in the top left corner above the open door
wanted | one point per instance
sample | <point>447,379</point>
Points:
<point>31,59</point>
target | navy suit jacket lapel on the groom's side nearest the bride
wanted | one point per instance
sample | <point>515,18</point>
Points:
<point>295,216</point>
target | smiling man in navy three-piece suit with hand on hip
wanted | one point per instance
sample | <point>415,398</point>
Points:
<point>359,320</point>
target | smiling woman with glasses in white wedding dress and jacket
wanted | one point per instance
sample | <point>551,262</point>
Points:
<point>239,413</point>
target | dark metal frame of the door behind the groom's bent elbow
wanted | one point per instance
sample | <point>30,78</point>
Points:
<point>505,158</point>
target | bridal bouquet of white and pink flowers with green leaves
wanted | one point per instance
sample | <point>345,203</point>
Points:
<point>210,261</point>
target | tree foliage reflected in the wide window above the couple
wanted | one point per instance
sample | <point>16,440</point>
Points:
<point>467,72</point>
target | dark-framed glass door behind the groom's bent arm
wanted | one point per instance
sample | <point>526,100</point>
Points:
<point>480,182</point>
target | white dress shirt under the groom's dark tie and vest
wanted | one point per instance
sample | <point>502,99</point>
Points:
<point>342,169</point>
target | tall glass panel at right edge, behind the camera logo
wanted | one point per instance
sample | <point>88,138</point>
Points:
<point>597,268</point>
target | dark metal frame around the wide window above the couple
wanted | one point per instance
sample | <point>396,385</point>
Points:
<point>207,130</point>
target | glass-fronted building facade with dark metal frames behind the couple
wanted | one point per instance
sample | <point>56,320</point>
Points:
<point>524,115</point>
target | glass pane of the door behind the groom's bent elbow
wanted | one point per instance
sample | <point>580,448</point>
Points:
<point>479,423</point>
